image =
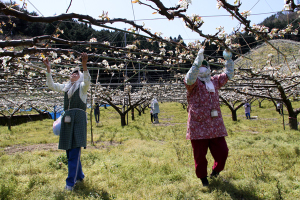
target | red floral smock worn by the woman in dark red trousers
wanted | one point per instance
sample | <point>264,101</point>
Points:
<point>200,124</point>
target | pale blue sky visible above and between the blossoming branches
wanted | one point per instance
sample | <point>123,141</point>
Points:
<point>213,17</point>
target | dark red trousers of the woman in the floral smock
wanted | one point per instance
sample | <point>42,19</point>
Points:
<point>219,150</point>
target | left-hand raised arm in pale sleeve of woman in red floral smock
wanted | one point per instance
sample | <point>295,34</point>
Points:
<point>192,74</point>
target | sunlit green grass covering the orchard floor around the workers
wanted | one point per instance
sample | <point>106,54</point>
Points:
<point>146,161</point>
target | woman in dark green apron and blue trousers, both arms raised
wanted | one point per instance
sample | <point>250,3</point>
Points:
<point>73,133</point>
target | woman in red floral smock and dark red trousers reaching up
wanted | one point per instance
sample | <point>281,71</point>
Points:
<point>205,126</point>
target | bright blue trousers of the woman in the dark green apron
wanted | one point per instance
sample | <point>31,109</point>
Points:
<point>74,166</point>
